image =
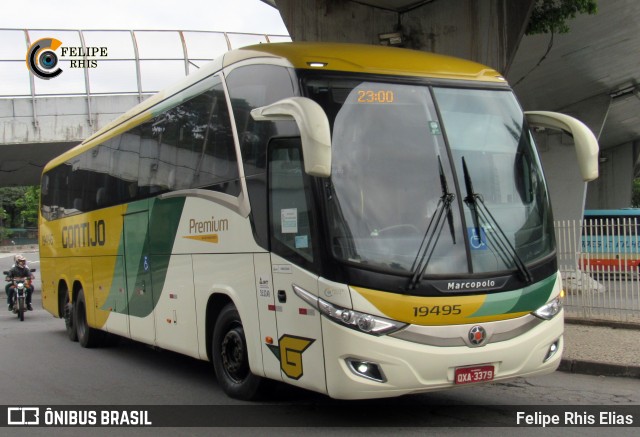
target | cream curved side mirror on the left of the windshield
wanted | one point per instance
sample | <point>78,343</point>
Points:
<point>314,130</point>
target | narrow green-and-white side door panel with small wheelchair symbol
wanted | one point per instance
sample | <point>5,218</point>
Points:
<point>138,274</point>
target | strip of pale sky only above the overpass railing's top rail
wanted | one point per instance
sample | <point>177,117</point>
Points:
<point>251,16</point>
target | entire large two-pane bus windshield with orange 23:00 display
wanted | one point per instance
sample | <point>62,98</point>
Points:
<point>399,199</point>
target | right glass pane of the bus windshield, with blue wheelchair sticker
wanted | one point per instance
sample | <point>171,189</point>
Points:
<point>487,129</point>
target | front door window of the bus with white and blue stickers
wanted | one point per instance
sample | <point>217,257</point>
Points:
<point>289,203</point>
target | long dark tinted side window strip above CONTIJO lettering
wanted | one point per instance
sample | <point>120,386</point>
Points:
<point>187,146</point>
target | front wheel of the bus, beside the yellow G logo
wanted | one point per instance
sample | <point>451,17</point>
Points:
<point>230,359</point>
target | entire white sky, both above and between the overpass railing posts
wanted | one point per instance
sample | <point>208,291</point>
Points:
<point>160,52</point>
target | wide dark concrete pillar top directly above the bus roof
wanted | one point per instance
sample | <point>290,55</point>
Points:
<point>488,32</point>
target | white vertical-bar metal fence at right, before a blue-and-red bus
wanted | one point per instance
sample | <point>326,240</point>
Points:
<point>599,261</point>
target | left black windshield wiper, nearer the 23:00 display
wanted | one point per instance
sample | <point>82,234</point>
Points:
<point>428,244</point>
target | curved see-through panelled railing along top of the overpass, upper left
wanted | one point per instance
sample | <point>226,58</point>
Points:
<point>136,62</point>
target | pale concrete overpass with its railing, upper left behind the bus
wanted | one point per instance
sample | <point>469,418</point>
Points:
<point>39,119</point>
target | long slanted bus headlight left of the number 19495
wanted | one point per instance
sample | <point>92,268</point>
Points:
<point>356,320</point>
